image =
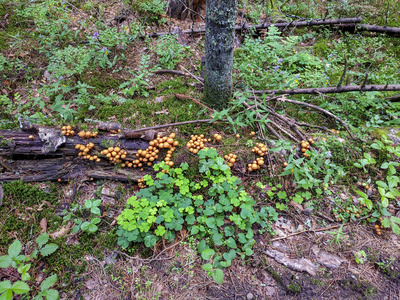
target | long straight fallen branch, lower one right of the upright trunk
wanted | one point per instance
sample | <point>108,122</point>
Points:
<point>330,90</point>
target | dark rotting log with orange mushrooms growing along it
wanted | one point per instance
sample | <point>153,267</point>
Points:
<point>31,156</point>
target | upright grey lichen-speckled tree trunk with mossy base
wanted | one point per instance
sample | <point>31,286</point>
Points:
<point>220,30</point>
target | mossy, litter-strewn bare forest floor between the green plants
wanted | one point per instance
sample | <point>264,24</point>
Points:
<point>311,254</point>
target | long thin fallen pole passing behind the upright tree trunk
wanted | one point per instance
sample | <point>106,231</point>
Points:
<point>265,26</point>
